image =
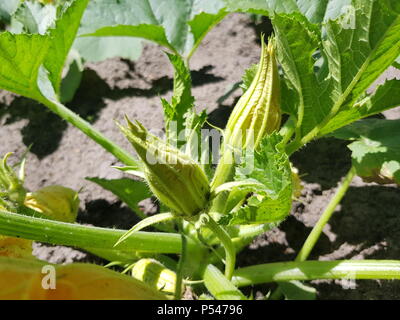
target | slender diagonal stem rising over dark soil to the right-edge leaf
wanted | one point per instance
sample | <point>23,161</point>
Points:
<point>326,215</point>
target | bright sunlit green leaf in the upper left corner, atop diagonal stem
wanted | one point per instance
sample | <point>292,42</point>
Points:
<point>22,55</point>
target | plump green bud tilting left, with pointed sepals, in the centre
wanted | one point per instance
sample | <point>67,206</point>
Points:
<point>174,178</point>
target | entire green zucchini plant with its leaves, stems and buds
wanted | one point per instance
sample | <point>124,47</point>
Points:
<point>311,81</point>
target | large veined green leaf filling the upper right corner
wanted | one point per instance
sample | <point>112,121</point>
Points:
<point>351,58</point>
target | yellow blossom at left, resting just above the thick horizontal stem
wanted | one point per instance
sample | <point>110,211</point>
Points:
<point>57,202</point>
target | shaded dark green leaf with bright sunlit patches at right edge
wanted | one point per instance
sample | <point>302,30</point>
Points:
<point>376,151</point>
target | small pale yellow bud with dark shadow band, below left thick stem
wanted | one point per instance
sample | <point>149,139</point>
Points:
<point>155,275</point>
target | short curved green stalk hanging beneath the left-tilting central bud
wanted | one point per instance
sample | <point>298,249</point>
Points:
<point>230,252</point>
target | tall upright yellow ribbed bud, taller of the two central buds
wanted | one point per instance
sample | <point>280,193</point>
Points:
<point>256,114</point>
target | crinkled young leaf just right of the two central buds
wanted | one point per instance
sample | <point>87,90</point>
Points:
<point>272,202</point>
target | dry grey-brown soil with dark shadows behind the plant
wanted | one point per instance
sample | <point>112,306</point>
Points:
<point>365,226</point>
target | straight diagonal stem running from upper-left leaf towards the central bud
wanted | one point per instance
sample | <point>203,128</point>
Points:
<point>90,131</point>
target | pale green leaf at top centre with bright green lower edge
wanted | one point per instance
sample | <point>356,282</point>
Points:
<point>176,24</point>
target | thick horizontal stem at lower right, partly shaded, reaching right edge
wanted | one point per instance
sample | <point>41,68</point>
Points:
<point>313,270</point>
